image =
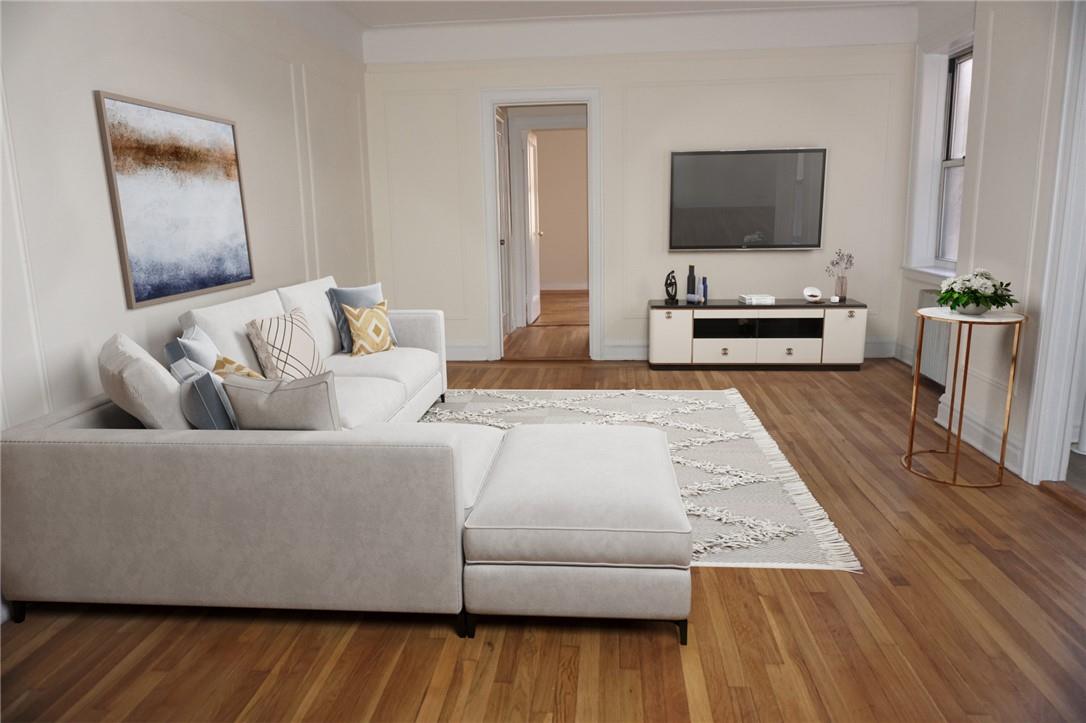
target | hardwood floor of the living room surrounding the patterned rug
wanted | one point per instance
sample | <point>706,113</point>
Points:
<point>973,606</point>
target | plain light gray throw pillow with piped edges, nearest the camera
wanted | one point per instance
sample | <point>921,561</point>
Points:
<point>305,404</point>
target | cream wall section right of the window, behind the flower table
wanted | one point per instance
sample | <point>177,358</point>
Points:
<point>1019,72</point>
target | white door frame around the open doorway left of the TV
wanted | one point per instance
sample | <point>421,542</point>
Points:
<point>490,103</point>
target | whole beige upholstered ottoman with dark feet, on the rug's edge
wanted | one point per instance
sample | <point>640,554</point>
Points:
<point>579,521</point>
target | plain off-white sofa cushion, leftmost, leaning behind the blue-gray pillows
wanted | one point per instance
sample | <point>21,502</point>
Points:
<point>137,384</point>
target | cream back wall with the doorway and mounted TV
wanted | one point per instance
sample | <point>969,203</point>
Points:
<point>426,125</point>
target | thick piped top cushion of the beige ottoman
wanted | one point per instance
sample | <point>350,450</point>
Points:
<point>580,494</point>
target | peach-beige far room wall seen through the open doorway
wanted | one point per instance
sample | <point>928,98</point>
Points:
<point>564,209</point>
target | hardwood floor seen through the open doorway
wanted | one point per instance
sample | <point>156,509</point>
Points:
<point>561,332</point>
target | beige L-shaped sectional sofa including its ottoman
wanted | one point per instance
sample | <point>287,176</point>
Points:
<point>558,521</point>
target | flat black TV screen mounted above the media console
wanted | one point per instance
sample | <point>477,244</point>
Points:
<point>724,200</point>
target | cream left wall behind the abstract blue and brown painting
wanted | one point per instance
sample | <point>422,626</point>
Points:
<point>298,105</point>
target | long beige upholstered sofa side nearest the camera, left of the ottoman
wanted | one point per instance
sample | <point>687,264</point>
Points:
<point>369,519</point>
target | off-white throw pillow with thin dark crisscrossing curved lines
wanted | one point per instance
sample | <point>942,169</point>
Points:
<point>285,347</point>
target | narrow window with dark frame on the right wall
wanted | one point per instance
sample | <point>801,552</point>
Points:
<point>954,157</point>
